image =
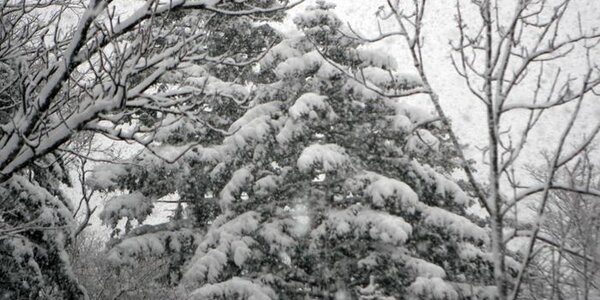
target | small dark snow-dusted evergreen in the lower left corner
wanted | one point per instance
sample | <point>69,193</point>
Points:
<point>36,225</point>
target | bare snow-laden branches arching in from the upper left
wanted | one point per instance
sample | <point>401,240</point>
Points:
<point>95,76</point>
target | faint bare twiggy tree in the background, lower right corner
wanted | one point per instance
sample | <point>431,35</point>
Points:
<point>568,259</point>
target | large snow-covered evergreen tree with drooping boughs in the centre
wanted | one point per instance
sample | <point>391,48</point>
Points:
<point>325,187</point>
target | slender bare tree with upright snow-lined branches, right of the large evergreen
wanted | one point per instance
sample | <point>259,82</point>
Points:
<point>511,57</point>
